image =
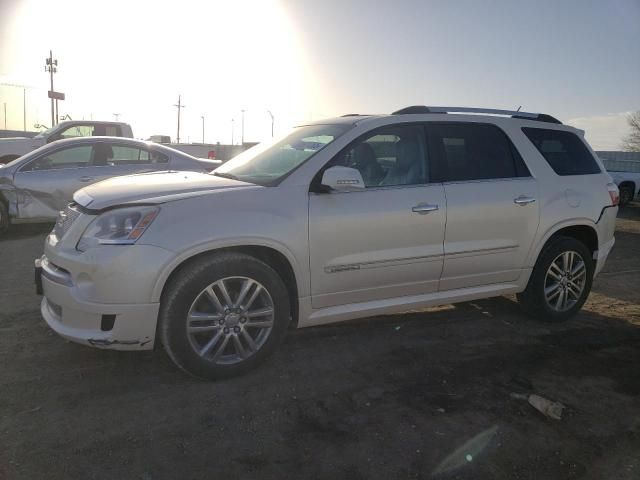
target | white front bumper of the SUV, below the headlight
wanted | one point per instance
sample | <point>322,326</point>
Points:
<point>103,297</point>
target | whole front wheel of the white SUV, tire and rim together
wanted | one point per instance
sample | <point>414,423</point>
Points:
<point>223,315</point>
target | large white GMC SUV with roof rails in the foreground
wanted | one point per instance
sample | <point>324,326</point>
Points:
<point>345,218</point>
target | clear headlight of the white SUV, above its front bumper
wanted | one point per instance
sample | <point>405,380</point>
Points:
<point>122,226</point>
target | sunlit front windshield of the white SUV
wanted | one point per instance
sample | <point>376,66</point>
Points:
<point>267,163</point>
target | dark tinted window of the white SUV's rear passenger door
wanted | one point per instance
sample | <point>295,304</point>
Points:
<point>470,151</point>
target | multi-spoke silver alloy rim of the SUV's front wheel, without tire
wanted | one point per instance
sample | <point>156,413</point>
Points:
<point>230,320</point>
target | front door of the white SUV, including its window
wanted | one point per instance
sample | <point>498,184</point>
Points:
<point>386,240</point>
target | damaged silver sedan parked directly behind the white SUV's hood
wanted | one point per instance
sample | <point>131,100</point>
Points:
<point>36,186</point>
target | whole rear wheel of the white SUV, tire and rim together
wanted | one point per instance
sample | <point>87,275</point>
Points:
<point>560,282</point>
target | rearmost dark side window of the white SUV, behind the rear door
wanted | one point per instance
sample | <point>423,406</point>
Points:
<point>564,151</point>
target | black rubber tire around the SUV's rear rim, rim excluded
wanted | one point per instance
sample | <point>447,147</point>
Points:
<point>533,300</point>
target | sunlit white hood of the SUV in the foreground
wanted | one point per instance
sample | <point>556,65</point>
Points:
<point>156,187</point>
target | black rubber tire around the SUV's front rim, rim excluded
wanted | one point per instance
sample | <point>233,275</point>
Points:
<point>185,288</point>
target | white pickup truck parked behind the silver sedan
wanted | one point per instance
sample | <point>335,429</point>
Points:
<point>12,148</point>
